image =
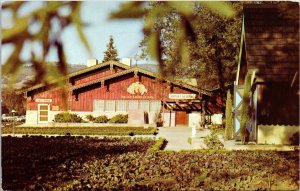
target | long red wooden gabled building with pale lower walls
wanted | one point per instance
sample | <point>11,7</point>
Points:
<point>111,88</point>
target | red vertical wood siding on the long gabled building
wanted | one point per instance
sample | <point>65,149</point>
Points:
<point>117,91</point>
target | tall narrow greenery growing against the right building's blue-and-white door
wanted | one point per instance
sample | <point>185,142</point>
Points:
<point>245,115</point>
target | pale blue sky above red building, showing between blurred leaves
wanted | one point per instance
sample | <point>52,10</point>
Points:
<point>127,34</point>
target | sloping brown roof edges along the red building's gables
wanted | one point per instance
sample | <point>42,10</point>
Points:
<point>127,70</point>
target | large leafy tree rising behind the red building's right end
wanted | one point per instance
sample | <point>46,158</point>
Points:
<point>192,39</point>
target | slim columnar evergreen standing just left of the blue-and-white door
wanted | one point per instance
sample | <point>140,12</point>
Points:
<point>229,122</point>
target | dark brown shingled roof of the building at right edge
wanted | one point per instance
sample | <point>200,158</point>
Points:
<point>271,42</point>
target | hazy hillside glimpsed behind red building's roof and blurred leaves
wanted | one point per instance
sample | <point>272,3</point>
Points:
<point>27,73</point>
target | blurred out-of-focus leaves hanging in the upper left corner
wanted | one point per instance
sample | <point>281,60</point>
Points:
<point>51,21</point>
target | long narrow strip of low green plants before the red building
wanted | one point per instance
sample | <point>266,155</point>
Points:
<point>109,130</point>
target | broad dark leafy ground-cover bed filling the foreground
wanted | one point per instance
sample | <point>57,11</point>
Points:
<point>78,163</point>
